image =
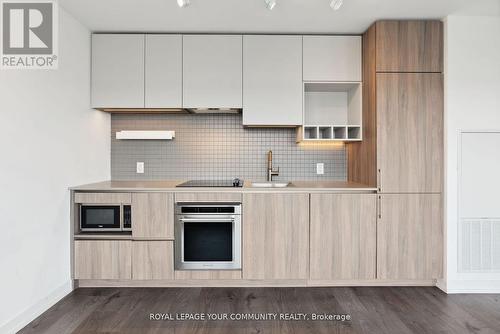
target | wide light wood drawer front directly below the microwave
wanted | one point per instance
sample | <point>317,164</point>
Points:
<point>103,259</point>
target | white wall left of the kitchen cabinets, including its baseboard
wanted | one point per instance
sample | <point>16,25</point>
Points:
<point>50,140</point>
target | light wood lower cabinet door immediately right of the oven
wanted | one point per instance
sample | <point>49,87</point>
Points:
<point>275,236</point>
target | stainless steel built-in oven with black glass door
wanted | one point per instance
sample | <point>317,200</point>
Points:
<point>207,236</point>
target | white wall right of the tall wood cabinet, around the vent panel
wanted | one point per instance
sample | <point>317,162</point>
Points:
<point>472,102</point>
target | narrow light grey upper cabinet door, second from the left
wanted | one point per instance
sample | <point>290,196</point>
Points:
<point>163,86</point>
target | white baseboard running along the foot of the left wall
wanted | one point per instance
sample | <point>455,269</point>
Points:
<point>36,309</point>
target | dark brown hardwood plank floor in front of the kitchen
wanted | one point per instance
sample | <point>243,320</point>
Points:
<point>372,310</point>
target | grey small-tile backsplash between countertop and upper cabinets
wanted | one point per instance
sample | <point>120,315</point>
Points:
<point>217,147</point>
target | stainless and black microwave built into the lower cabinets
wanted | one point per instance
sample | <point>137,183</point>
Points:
<point>105,218</point>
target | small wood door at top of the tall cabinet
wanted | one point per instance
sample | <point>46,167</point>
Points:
<point>409,46</point>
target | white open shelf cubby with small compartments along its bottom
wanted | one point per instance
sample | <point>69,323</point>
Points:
<point>332,112</point>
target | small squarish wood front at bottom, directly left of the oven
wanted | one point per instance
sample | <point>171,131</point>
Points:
<point>152,260</point>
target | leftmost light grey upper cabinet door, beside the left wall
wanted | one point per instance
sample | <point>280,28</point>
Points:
<point>117,71</point>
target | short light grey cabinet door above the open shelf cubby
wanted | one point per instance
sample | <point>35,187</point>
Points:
<point>332,58</point>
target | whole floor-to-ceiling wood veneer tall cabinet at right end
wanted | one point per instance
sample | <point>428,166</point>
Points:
<point>402,149</point>
